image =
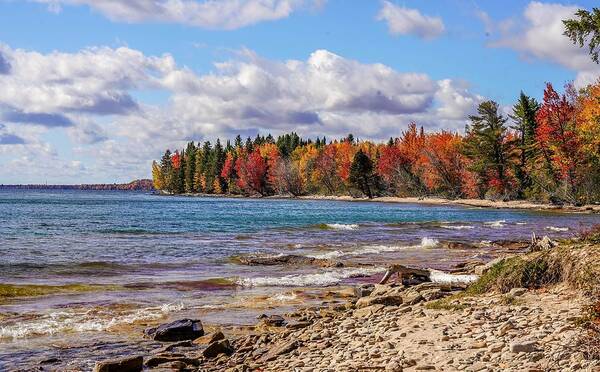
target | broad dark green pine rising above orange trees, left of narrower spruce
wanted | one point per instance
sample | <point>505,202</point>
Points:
<point>490,149</point>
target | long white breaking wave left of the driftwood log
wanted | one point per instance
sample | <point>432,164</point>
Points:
<point>321,279</point>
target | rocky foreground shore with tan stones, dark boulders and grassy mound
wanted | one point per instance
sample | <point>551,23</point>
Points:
<point>402,327</point>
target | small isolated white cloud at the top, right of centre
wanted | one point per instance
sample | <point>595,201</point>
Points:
<point>406,21</point>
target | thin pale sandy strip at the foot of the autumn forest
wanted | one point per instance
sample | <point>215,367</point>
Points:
<point>433,201</point>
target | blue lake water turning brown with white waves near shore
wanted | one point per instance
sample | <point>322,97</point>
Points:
<point>167,257</point>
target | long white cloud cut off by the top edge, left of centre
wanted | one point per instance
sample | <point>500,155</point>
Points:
<point>211,14</point>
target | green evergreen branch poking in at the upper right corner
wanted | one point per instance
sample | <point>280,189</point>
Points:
<point>585,29</point>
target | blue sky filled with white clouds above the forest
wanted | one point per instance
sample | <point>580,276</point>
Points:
<point>91,91</point>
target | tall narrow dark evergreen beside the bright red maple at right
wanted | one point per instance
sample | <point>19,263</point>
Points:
<point>524,113</point>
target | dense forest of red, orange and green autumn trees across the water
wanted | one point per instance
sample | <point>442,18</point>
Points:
<point>545,151</point>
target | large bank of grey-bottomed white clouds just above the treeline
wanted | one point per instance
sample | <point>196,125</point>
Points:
<point>326,94</point>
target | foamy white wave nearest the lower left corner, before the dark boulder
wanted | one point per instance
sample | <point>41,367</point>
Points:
<point>88,321</point>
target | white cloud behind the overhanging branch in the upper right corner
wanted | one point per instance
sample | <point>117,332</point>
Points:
<point>541,37</point>
